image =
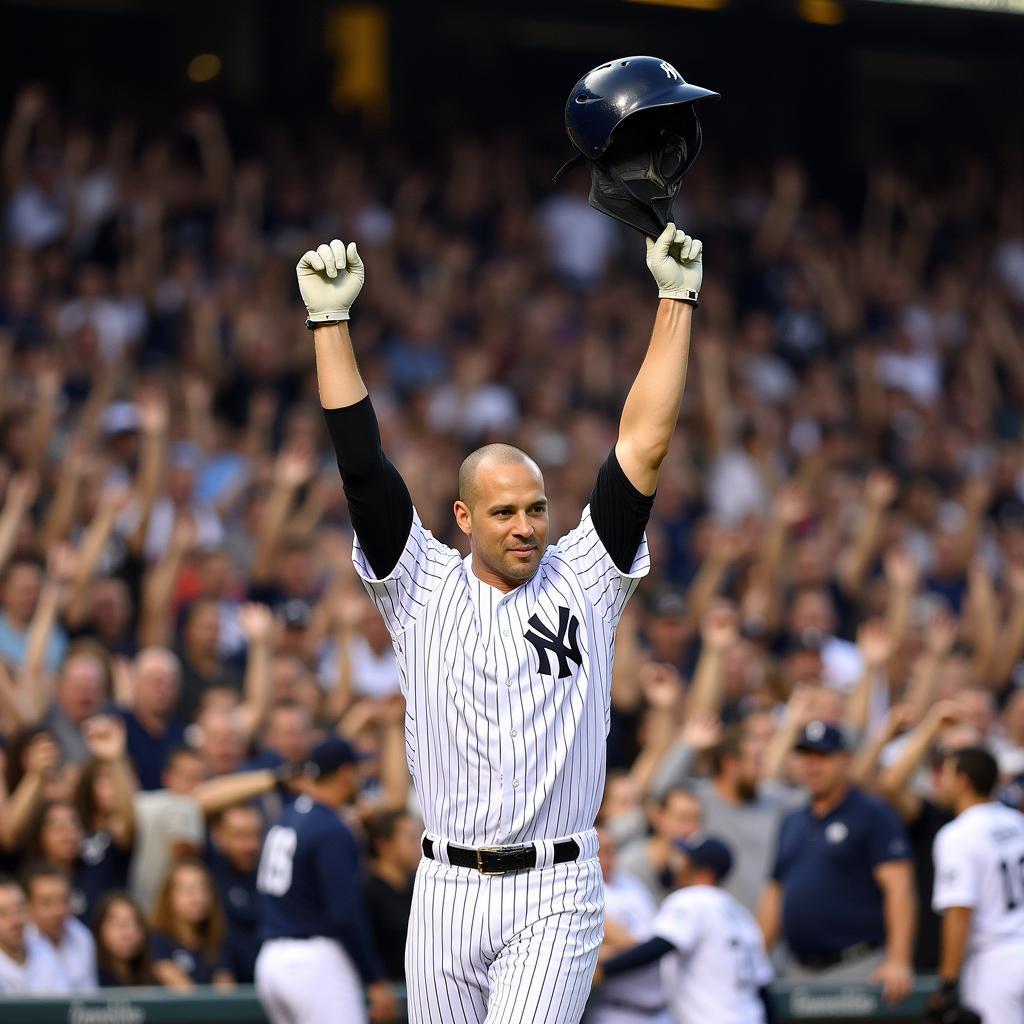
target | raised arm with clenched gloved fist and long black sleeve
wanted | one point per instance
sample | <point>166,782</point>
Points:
<point>330,281</point>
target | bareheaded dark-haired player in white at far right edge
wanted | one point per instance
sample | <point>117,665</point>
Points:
<point>979,891</point>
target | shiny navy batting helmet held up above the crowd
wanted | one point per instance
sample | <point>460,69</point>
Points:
<point>632,120</point>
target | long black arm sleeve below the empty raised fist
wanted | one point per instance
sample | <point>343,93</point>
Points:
<point>378,499</point>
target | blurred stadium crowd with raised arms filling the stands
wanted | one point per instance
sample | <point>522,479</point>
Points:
<point>837,596</point>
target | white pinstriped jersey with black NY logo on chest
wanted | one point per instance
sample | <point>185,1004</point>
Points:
<point>507,696</point>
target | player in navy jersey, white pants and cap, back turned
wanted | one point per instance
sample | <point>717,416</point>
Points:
<point>318,945</point>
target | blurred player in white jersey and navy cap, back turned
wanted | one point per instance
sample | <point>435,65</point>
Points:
<point>714,968</point>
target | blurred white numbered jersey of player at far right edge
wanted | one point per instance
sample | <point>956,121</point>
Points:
<point>979,864</point>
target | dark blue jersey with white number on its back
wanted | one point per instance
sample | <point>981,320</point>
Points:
<point>310,884</point>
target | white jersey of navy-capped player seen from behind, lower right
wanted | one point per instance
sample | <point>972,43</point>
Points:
<point>719,961</point>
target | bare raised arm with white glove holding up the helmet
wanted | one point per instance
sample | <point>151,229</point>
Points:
<point>649,419</point>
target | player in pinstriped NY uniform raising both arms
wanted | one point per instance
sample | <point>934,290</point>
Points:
<point>506,666</point>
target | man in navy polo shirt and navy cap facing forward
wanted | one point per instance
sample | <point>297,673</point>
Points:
<point>842,887</point>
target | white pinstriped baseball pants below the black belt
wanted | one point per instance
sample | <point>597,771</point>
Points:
<point>504,950</point>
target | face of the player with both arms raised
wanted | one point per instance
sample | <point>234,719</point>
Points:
<point>508,524</point>
